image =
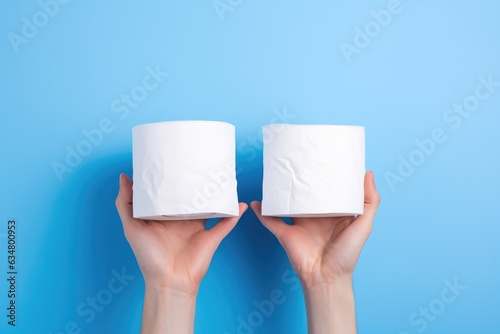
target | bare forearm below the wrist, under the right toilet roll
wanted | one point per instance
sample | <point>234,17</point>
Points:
<point>330,308</point>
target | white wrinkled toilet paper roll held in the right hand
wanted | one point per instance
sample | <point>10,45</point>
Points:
<point>313,170</point>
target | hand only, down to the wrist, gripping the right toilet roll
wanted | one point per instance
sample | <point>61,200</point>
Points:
<point>325,250</point>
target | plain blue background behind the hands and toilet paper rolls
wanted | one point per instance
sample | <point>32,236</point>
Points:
<point>245,66</point>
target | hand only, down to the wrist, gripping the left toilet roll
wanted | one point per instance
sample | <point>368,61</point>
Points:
<point>172,255</point>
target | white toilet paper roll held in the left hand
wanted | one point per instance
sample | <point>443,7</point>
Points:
<point>184,170</point>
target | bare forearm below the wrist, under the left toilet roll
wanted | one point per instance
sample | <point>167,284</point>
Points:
<point>168,312</point>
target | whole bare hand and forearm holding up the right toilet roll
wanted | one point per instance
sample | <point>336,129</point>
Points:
<point>324,253</point>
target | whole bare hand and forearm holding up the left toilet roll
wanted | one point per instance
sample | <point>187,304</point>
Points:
<point>174,257</point>
